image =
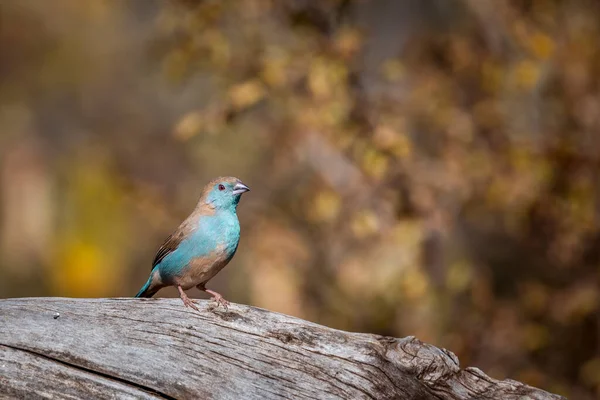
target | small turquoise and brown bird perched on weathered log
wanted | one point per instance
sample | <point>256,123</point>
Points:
<point>202,245</point>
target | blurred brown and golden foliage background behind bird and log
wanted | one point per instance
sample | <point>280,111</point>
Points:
<point>425,168</point>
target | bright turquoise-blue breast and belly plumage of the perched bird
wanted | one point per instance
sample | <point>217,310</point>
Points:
<point>218,231</point>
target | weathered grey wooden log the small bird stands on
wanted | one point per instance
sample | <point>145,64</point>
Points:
<point>156,348</point>
